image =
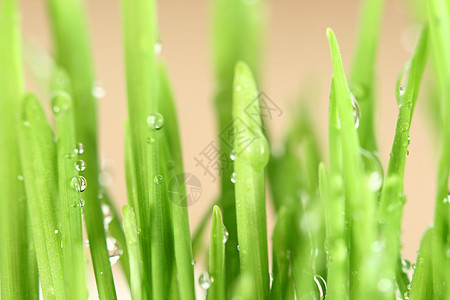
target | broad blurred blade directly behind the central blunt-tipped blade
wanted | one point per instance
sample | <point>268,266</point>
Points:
<point>237,28</point>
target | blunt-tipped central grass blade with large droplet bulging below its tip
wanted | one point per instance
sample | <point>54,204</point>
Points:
<point>252,155</point>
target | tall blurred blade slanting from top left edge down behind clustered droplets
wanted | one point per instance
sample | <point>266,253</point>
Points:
<point>71,40</point>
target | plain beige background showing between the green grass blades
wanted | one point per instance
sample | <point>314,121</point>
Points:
<point>296,60</point>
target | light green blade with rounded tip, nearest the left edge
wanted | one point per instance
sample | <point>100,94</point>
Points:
<point>38,156</point>
